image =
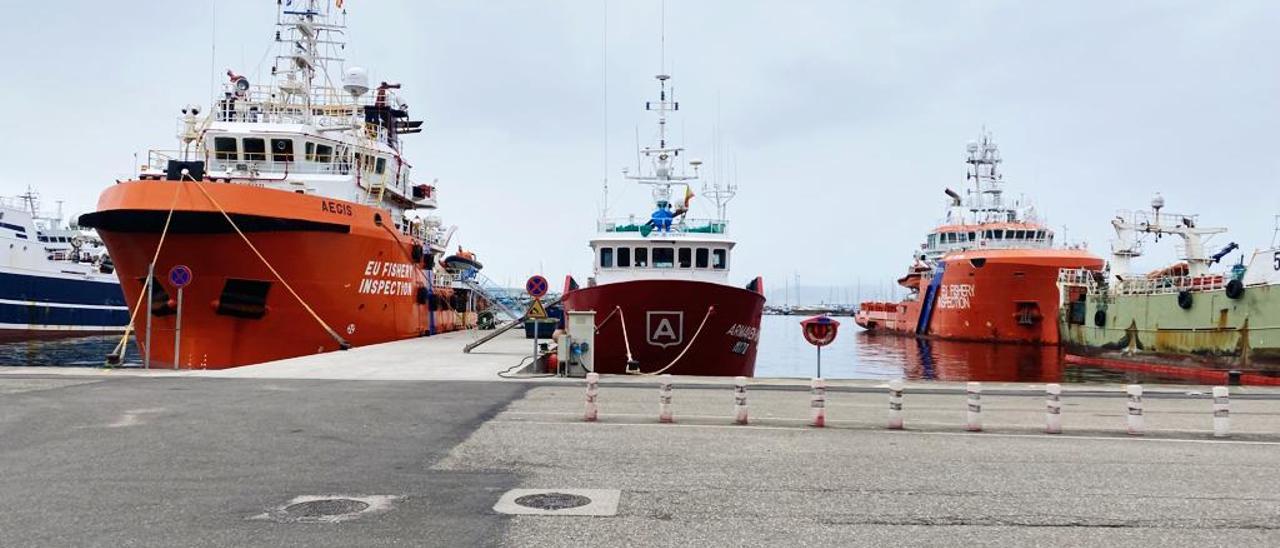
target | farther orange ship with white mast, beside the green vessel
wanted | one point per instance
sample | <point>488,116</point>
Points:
<point>988,273</point>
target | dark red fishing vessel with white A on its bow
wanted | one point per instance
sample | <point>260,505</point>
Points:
<point>660,286</point>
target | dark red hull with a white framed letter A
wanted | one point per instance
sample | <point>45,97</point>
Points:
<point>662,323</point>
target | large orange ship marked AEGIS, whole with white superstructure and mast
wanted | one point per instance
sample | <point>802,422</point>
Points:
<point>294,208</point>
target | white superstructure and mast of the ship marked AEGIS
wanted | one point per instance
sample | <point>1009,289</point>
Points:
<point>319,129</point>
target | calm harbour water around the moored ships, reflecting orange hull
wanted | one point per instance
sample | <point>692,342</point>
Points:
<point>783,354</point>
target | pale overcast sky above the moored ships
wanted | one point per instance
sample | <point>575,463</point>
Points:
<point>847,118</point>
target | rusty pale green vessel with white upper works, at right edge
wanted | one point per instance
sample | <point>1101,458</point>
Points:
<point>1199,312</point>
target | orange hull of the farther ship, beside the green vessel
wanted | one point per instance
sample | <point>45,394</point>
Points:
<point>1008,296</point>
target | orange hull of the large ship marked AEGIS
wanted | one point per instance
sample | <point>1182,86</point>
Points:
<point>346,262</point>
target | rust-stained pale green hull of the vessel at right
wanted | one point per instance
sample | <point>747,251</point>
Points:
<point>1219,331</point>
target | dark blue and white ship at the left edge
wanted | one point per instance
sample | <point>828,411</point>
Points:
<point>56,281</point>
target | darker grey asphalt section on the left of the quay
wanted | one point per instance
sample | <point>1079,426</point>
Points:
<point>181,462</point>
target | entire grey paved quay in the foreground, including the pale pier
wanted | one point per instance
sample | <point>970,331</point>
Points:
<point>125,458</point>
